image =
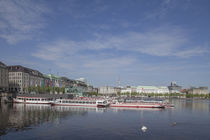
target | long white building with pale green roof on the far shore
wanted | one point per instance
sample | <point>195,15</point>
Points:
<point>152,89</point>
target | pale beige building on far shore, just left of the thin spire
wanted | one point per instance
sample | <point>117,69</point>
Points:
<point>108,90</point>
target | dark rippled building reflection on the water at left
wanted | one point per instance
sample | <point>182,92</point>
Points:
<point>17,117</point>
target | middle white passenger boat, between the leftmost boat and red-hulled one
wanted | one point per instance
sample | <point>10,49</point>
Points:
<point>81,102</point>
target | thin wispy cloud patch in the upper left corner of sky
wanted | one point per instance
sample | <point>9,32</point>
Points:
<point>19,19</point>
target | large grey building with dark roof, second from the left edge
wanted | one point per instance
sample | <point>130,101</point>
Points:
<point>20,78</point>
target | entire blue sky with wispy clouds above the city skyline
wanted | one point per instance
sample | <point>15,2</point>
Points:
<point>140,42</point>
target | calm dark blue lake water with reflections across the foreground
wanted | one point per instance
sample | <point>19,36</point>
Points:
<point>192,117</point>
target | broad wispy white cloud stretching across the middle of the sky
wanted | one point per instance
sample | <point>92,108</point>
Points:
<point>107,56</point>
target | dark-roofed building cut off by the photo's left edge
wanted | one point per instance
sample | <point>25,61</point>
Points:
<point>4,83</point>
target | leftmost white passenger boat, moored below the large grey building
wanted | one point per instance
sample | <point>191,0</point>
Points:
<point>32,100</point>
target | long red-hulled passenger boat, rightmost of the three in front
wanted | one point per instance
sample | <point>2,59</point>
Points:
<point>138,104</point>
